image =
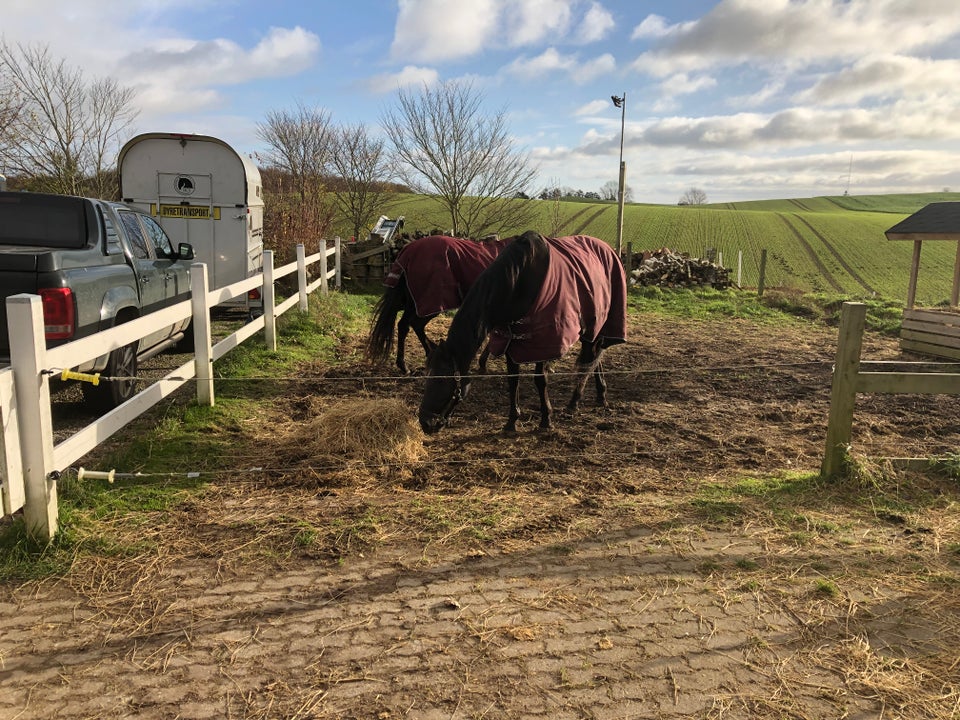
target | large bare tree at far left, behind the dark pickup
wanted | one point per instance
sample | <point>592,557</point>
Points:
<point>64,132</point>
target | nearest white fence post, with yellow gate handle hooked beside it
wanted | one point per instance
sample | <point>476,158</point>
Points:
<point>28,361</point>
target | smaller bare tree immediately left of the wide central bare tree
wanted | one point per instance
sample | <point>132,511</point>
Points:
<point>363,169</point>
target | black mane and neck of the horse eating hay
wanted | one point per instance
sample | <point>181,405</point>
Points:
<point>502,294</point>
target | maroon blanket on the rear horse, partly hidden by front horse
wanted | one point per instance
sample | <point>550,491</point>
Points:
<point>440,269</point>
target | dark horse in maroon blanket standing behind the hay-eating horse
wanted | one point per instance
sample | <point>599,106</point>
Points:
<point>430,275</point>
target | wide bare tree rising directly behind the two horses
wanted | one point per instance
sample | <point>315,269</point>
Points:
<point>446,146</point>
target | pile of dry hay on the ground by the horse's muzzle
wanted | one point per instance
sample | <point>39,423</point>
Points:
<point>354,433</point>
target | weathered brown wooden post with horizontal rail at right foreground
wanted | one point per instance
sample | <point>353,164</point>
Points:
<point>851,376</point>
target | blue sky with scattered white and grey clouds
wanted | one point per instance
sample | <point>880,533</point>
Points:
<point>744,99</point>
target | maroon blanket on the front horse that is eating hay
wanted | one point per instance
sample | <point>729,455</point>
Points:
<point>584,296</point>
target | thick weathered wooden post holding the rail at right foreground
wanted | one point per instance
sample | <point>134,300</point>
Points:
<point>843,394</point>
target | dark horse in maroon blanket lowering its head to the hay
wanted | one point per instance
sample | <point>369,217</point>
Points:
<point>535,300</point>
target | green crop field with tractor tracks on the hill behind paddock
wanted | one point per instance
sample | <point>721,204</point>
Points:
<point>832,244</point>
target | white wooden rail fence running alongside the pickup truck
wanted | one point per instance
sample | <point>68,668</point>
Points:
<point>29,460</point>
